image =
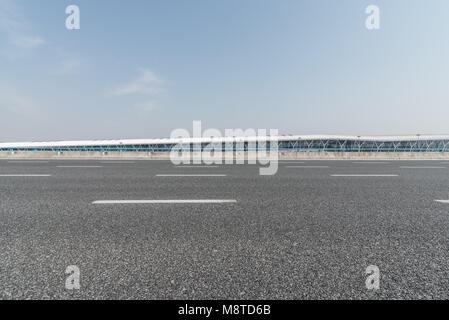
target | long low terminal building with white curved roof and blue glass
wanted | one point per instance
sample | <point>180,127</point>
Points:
<point>297,143</point>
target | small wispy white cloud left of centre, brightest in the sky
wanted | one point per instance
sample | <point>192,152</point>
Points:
<point>146,84</point>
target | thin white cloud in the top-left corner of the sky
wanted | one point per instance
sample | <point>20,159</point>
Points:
<point>19,40</point>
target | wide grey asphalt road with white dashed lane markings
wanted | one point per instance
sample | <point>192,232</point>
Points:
<point>300,234</point>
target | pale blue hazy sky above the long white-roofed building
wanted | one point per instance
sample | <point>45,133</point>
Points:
<point>141,68</point>
